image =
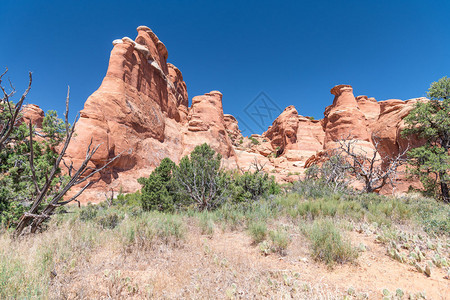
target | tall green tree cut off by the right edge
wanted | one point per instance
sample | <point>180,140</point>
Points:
<point>431,121</point>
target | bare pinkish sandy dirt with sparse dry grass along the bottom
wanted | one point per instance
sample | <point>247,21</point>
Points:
<point>228,266</point>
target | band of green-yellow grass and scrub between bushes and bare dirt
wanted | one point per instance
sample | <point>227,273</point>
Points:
<point>272,222</point>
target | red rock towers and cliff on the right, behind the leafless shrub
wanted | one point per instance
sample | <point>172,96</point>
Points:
<point>362,119</point>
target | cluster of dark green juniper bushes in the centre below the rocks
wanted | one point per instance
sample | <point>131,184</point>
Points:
<point>200,181</point>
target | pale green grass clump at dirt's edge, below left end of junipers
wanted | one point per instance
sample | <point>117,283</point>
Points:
<point>147,229</point>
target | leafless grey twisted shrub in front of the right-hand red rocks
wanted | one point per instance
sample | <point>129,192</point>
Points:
<point>374,170</point>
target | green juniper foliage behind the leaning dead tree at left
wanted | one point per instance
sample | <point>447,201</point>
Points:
<point>16,180</point>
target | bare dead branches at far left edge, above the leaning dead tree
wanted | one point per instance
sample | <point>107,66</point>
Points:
<point>10,112</point>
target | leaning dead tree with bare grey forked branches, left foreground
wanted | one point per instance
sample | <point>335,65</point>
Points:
<point>44,204</point>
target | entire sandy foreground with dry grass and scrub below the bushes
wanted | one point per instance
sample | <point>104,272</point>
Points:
<point>123,253</point>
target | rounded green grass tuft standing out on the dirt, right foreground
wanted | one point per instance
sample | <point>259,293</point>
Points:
<point>328,244</point>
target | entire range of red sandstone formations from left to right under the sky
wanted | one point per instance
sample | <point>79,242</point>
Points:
<point>141,110</point>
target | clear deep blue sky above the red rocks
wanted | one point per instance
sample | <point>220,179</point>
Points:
<point>292,51</point>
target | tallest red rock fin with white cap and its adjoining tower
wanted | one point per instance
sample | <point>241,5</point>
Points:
<point>141,112</point>
